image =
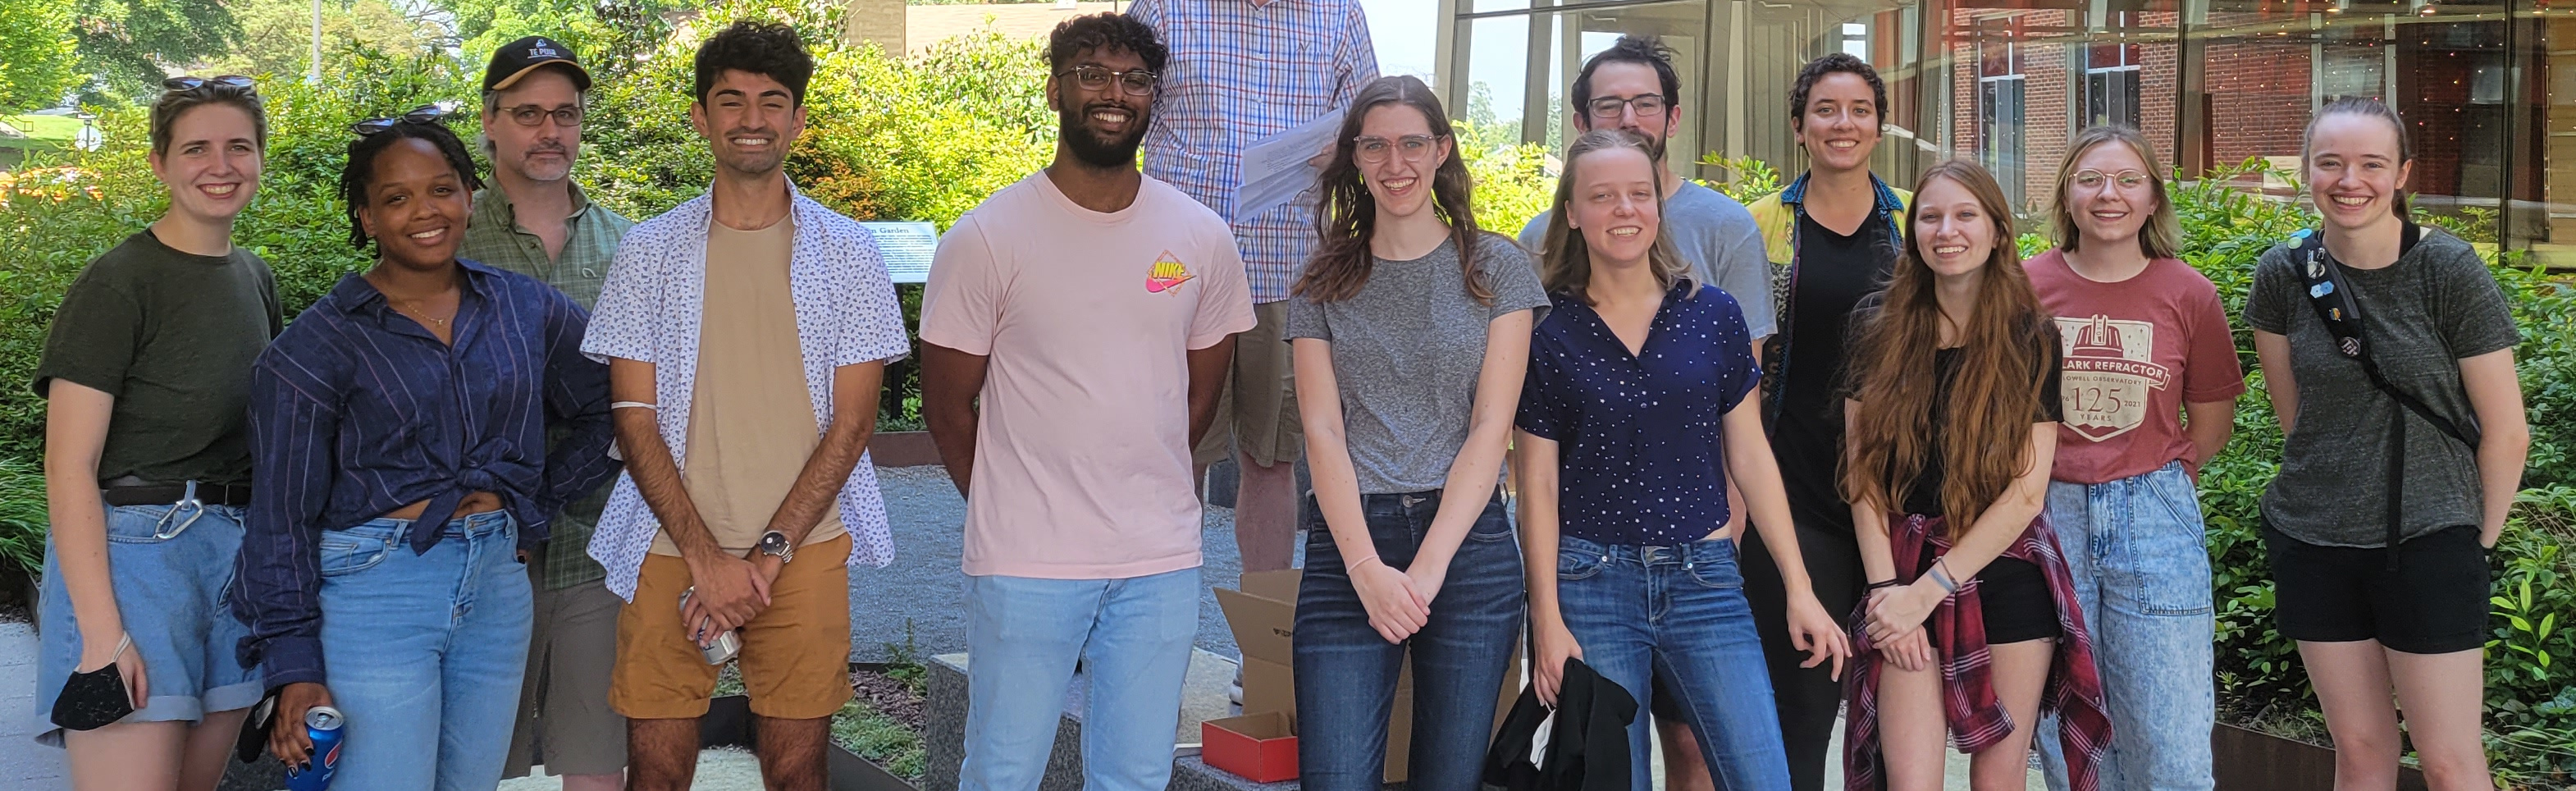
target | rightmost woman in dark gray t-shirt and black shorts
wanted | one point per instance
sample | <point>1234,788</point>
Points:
<point>2384,589</point>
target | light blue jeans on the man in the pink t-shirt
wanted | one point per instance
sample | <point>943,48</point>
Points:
<point>1024,640</point>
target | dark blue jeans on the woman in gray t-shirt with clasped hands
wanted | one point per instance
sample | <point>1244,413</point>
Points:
<point>1349,674</point>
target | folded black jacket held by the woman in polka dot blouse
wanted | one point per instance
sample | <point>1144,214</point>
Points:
<point>1588,748</point>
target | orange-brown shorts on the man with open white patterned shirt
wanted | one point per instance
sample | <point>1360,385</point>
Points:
<point>795,656</point>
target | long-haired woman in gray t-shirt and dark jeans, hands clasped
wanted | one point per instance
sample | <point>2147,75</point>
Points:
<point>1410,334</point>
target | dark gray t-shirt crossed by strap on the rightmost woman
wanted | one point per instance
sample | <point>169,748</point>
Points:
<point>2423,316</point>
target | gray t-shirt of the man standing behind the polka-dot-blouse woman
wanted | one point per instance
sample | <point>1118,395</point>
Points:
<point>1722,243</point>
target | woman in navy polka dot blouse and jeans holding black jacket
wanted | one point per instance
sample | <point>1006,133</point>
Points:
<point>1634,414</point>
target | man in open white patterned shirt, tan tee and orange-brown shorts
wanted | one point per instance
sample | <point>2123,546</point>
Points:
<point>735,331</point>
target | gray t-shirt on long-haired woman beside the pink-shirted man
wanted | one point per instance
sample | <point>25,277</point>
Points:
<point>1405,354</point>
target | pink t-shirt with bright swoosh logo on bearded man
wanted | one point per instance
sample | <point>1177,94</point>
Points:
<point>1083,444</point>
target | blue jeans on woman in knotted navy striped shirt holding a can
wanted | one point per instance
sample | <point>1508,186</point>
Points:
<point>426,651</point>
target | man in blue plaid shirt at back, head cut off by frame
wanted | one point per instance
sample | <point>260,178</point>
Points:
<point>1243,71</point>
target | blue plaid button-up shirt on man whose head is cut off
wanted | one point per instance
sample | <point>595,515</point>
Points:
<point>1243,71</point>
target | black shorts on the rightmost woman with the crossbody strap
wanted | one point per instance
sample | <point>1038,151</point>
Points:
<point>2433,604</point>
